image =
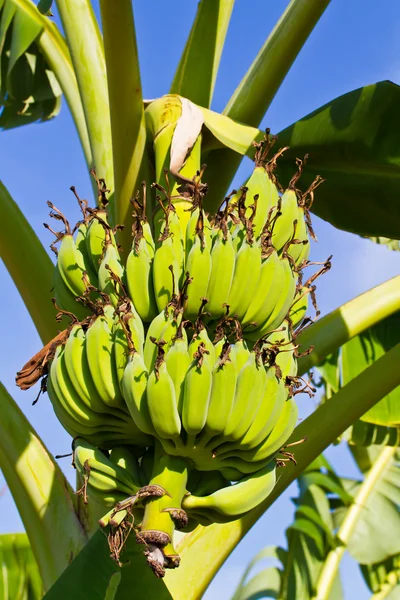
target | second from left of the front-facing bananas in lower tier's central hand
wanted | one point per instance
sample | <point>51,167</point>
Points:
<point>161,401</point>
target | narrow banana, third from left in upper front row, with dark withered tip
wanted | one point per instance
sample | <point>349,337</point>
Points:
<point>198,267</point>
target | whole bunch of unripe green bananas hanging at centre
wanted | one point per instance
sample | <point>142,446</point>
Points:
<point>181,363</point>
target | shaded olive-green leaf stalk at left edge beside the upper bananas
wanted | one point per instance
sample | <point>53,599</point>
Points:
<point>28,264</point>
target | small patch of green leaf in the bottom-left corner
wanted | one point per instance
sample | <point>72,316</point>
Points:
<point>19,574</point>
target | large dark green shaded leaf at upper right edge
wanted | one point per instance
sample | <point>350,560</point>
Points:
<point>352,141</point>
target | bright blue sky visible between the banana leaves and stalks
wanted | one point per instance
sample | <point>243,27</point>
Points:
<point>354,44</point>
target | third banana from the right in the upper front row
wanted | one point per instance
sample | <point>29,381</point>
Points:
<point>245,278</point>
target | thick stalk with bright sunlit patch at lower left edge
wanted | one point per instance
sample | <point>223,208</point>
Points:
<point>41,493</point>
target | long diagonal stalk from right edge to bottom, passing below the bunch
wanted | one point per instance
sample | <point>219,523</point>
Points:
<point>215,542</point>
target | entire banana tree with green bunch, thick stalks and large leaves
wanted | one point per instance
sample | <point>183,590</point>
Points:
<point>148,158</point>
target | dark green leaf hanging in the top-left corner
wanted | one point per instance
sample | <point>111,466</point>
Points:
<point>29,91</point>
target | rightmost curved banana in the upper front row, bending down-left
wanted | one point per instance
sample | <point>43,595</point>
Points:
<point>287,287</point>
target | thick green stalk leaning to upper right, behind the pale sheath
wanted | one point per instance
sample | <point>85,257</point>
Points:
<point>253,96</point>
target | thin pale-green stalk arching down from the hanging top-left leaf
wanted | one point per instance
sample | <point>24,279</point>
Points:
<point>56,52</point>
